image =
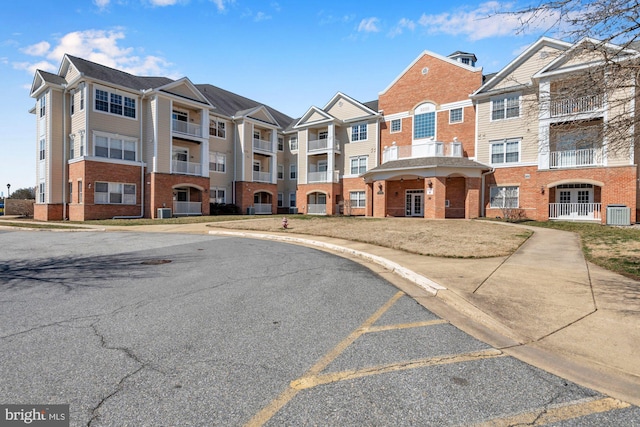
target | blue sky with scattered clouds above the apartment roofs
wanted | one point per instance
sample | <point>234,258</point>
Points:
<point>286,54</point>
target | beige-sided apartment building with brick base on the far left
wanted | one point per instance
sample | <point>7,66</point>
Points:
<point>112,144</point>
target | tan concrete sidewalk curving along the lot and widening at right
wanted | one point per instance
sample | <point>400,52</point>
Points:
<point>544,304</point>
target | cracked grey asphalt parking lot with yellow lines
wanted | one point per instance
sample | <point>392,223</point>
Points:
<point>170,329</point>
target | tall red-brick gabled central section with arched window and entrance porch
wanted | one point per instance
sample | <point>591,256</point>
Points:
<point>427,166</point>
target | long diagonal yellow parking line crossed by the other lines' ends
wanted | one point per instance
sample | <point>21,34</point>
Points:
<point>272,408</point>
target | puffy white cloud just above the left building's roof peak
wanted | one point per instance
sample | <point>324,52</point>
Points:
<point>97,46</point>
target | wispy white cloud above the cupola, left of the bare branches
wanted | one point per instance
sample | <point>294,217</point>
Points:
<point>490,19</point>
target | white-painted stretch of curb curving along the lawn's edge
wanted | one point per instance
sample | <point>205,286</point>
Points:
<point>421,281</point>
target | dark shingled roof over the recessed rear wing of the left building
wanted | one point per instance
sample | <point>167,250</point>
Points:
<point>231,104</point>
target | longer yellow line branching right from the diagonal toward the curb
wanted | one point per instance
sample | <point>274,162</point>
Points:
<point>312,381</point>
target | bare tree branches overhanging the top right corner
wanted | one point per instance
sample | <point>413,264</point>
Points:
<point>608,32</point>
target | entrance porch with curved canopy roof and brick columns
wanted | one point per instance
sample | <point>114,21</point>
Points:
<point>431,187</point>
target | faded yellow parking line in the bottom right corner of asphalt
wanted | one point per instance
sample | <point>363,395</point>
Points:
<point>558,413</point>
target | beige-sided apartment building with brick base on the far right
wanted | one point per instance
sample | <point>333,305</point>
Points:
<point>545,141</point>
